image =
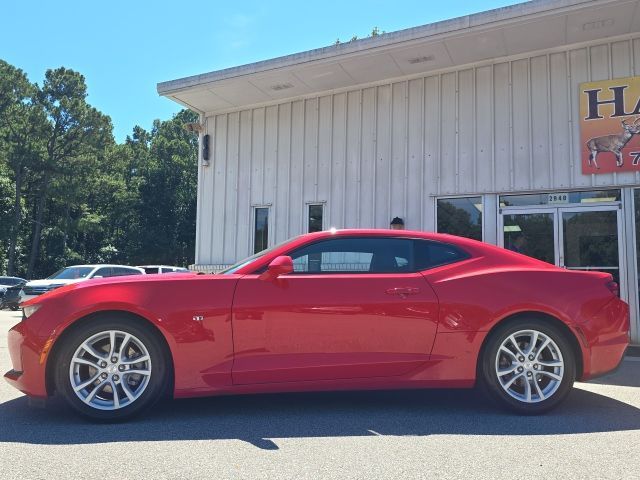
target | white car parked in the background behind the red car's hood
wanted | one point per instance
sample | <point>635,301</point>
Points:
<point>73,274</point>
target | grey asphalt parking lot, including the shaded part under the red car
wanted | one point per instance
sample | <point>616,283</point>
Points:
<point>420,434</point>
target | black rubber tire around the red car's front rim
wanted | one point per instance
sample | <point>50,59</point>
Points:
<point>155,386</point>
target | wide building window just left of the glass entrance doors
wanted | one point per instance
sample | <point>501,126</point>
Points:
<point>460,216</point>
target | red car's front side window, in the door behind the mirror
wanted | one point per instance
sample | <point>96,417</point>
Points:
<point>354,255</point>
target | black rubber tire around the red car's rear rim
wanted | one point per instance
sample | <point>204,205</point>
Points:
<point>489,362</point>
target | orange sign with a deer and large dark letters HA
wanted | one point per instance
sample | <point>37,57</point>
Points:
<point>610,125</point>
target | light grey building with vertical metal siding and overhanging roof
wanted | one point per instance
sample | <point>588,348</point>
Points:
<point>473,109</point>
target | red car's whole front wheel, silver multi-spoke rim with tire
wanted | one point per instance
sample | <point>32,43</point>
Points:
<point>110,369</point>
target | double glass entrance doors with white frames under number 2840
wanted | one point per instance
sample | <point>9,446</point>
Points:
<point>576,238</point>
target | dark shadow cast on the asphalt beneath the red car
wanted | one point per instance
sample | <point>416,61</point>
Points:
<point>258,419</point>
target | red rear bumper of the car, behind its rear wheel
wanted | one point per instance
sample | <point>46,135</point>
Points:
<point>605,339</point>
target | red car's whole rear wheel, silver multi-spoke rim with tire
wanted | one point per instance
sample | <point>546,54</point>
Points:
<point>528,365</point>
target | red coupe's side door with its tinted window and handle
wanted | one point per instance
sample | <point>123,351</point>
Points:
<point>353,308</point>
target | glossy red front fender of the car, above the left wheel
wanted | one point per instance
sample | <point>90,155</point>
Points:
<point>193,315</point>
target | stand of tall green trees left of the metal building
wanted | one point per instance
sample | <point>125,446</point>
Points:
<point>69,194</point>
